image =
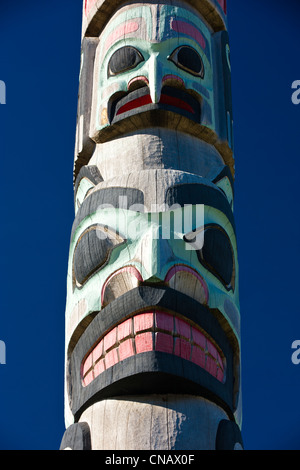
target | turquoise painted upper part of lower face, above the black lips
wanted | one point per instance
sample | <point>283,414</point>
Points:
<point>116,250</point>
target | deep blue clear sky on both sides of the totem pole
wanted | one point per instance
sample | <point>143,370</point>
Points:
<point>39,57</point>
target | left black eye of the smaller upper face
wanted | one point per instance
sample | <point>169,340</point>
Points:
<point>123,59</point>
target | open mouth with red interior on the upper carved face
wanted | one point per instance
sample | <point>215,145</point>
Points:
<point>137,101</point>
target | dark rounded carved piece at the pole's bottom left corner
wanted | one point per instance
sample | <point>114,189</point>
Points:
<point>77,437</point>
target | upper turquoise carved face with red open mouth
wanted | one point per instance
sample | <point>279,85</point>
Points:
<point>153,57</point>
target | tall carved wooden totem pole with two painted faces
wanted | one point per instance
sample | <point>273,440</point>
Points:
<point>152,311</point>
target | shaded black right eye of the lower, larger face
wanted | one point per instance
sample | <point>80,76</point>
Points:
<point>216,254</point>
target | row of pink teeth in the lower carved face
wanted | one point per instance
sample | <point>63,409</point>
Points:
<point>153,331</point>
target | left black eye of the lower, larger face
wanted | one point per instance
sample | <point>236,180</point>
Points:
<point>93,250</point>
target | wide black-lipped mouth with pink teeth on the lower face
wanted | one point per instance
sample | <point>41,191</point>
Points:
<point>152,340</point>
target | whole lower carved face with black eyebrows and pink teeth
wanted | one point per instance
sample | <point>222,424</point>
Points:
<point>153,295</point>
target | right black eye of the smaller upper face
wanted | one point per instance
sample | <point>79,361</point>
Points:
<point>188,59</point>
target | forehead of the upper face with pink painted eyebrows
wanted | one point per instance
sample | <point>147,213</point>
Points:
<point>155,23</point>
